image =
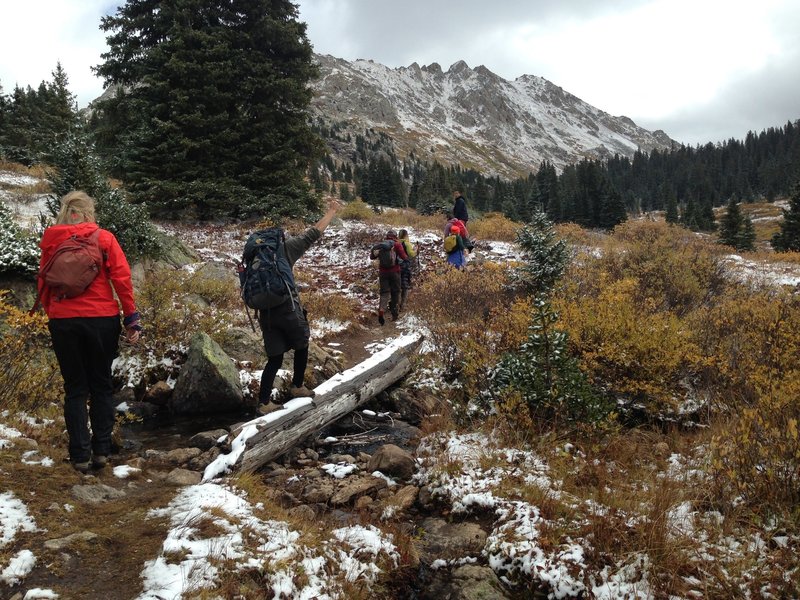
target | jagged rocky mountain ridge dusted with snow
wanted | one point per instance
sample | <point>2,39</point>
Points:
<point>472,117</point>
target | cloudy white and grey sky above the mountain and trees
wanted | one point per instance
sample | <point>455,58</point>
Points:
<point>701,70</point>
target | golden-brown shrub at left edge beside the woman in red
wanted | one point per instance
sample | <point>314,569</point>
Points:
<point>30,379</point>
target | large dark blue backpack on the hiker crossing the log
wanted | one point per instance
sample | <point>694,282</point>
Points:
<point>265,273</point>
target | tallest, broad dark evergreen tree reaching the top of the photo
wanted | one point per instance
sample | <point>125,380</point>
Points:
<point>211,108</point>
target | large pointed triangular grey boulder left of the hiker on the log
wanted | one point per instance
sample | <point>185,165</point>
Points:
<point>208,381</point>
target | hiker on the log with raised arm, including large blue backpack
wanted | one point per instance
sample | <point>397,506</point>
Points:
<point>268,286</point>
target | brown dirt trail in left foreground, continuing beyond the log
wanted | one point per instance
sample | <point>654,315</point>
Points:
<point>121,538</point>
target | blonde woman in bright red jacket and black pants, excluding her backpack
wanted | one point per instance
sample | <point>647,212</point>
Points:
<point>85,332</point>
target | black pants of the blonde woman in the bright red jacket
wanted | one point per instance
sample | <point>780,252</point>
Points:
<point>85,348</point>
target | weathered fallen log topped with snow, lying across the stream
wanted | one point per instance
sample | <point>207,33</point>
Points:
<point>263,439</point>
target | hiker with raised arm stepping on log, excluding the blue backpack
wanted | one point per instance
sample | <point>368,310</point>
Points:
<point>285,327</point>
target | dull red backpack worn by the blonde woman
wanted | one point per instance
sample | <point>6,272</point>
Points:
<point>72,268</point>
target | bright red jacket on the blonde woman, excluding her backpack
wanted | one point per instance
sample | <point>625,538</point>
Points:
<point>98,300</point>
